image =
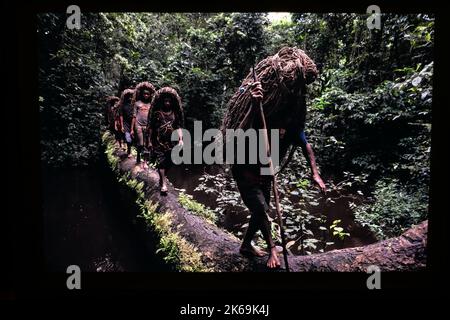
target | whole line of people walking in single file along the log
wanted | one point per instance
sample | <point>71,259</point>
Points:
<point>149,117</point>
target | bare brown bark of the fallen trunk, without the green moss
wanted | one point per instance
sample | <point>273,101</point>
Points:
<point>220,249</point>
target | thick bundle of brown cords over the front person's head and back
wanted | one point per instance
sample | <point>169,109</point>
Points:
<point>282,76</point>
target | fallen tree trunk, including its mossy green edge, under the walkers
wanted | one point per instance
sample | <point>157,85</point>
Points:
<point>193,243</point>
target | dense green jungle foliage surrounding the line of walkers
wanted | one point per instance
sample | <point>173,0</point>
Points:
<point>369,113</point>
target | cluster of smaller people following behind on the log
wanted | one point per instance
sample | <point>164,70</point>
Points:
<point>146,117</point>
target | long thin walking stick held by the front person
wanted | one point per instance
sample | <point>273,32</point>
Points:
<point>274,179</point>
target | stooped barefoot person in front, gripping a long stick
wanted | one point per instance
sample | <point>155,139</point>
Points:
<point>280,86</point>
